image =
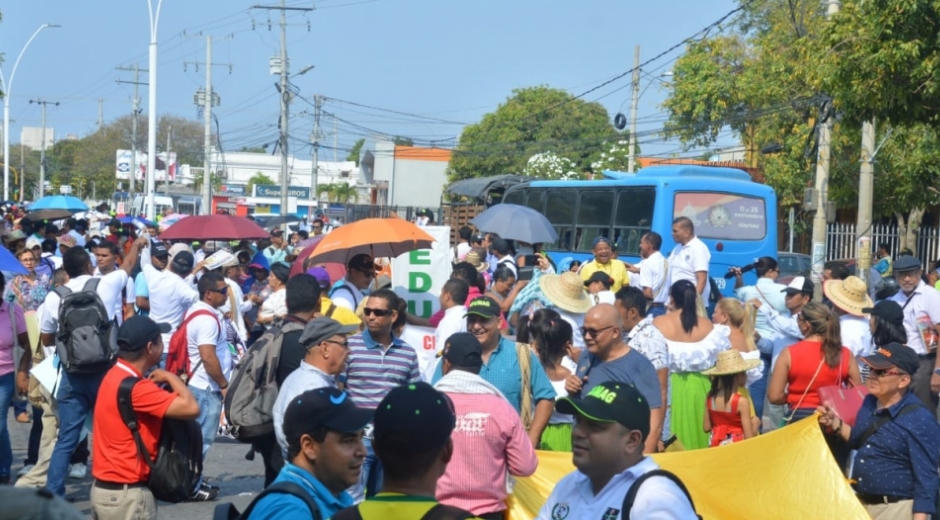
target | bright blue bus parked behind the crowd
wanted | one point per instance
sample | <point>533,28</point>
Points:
<point>735,216</point>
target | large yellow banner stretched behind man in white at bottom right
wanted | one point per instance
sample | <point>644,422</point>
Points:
<point>786,474</point>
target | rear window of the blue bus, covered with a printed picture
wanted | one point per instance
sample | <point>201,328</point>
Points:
<point>723,216</point>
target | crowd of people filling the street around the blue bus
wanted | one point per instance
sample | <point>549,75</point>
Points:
<point>604,359</point>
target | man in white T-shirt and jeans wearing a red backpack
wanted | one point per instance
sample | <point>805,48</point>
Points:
<point>209,357</point>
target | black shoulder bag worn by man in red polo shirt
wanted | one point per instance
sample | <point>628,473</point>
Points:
<point>177,467</point>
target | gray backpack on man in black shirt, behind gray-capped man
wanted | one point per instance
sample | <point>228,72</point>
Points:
<point>249,403</point>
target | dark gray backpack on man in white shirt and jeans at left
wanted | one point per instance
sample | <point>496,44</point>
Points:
<point>86,341</point>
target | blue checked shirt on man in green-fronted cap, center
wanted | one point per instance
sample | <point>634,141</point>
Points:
<point>502,371</point>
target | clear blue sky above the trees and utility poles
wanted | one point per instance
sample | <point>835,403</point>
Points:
<point>443,59</point>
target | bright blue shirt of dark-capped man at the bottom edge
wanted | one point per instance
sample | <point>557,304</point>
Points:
<point>280,506</point>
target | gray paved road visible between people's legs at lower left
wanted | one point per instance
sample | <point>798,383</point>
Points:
<point>225,466</point>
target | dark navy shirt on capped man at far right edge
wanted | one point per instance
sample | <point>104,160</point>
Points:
<point>900,459</point>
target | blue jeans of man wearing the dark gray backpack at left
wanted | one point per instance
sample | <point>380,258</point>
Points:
<point>76,397</point>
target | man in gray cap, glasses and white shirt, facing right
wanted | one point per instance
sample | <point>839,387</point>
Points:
<point>325,342</point>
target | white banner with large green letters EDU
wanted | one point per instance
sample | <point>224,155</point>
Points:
<point>419,276</point>
